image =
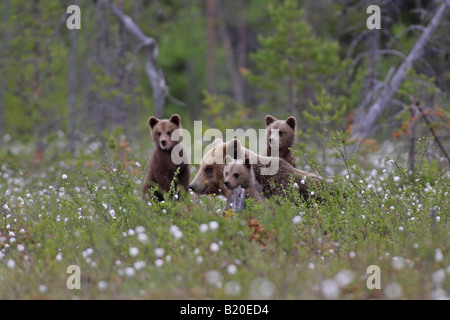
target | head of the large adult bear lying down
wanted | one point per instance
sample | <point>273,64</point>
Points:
<point>209,177</point>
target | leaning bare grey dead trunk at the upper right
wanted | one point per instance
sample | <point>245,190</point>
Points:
<point>365,120</point>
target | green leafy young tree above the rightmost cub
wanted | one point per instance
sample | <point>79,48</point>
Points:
<point>292,63</point>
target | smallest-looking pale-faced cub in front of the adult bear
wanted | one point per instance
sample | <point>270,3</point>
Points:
<point>240,173</point>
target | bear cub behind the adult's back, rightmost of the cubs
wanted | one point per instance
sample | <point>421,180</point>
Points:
<point>284,139</point>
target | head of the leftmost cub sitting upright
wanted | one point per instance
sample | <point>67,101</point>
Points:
<point>162,131</point>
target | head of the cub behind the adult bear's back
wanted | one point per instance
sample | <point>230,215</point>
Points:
<point>283,139</point>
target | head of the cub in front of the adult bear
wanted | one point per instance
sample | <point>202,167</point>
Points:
<point>237,173</point>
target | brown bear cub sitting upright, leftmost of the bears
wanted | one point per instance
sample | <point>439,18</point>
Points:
<point>162,169</point>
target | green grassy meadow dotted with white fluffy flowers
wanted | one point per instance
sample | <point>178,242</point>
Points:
<point>93,217</point>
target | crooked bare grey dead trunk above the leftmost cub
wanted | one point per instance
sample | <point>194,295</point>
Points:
<point>154,72</point>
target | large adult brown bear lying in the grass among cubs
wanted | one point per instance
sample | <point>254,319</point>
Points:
<point>275,175</point>
